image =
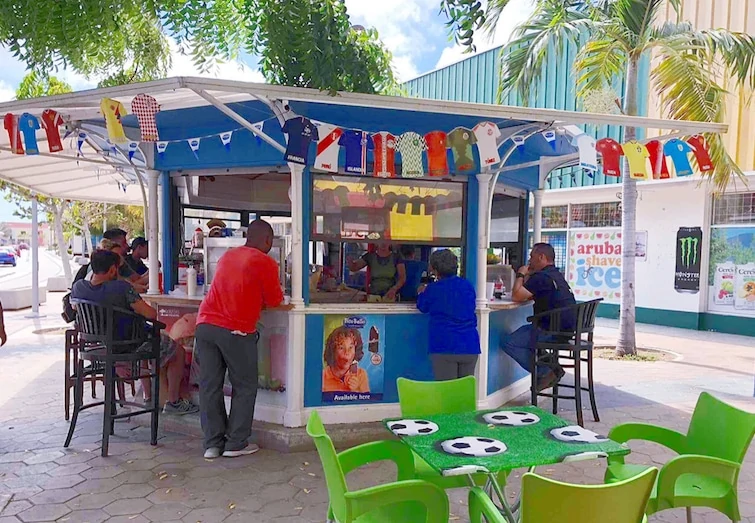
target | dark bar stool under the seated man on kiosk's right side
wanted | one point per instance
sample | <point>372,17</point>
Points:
<point>575,346</point>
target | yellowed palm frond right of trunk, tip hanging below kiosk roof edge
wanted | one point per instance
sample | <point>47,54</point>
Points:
<point>683,78</point>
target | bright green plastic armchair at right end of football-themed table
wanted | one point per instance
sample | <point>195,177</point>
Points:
<point>706,471</point>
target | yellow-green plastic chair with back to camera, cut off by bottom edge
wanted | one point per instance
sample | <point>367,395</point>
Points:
<point>545,501</point>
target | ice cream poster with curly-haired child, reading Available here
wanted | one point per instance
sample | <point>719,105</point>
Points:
<point>353,358</point>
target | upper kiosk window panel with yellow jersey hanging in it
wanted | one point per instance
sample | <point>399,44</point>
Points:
<point>358,209</point>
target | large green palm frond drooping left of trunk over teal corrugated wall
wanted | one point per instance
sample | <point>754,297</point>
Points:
<point>553,24</point>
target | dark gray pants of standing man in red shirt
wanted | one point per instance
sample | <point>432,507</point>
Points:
<point>219,349</point>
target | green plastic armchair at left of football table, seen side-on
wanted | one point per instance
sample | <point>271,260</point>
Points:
<point>406,500</point>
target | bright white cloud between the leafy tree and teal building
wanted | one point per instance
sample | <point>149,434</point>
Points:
<point>408,28</point>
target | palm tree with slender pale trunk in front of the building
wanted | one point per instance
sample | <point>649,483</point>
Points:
<point>614,36</point>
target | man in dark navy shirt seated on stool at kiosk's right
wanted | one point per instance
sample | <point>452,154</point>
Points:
<point>542,282</point>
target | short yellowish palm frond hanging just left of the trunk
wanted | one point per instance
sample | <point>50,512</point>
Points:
<point>598,63</point>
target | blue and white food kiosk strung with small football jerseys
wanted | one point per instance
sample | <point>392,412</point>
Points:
<point>337,174</point>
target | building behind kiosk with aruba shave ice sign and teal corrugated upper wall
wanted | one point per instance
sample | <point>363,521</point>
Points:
<point>696,249</point>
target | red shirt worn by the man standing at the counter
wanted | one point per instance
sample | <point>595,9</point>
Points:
<point>245,281</point>
